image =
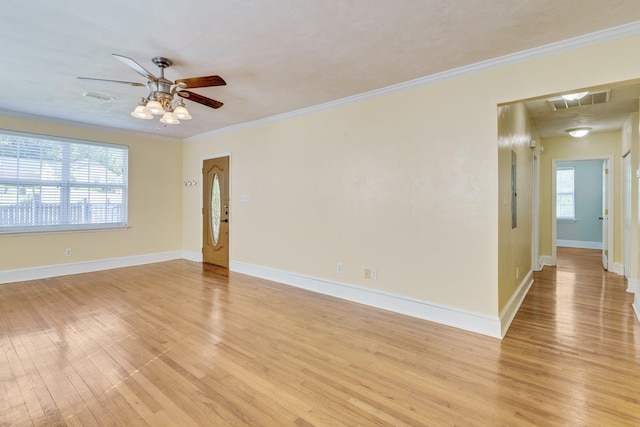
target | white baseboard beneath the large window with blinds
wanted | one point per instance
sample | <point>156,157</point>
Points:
<point>45,271</point>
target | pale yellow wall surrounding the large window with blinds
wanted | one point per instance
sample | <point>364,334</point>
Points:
<point>155,198</point>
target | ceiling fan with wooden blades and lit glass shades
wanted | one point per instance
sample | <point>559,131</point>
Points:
<point>162,91</point>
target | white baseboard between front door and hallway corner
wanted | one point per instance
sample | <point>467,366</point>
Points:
<point>451,316</point>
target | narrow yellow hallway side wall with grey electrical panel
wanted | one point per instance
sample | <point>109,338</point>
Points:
<point>515,131</point>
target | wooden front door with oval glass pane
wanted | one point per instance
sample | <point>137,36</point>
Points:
<point>215,229</point>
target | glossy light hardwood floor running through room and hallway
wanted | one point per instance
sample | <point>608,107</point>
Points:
<point>178,344</point>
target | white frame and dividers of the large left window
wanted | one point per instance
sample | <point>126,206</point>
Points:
<point>13,230</point>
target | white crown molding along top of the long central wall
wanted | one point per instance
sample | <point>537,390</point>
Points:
<point>614,33</point>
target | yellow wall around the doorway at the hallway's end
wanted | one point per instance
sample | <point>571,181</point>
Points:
<point>565,148</point>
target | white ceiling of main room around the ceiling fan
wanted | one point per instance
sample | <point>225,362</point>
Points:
<point>277,56</point>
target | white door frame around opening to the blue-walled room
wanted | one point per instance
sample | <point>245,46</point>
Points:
<point>609,158</point>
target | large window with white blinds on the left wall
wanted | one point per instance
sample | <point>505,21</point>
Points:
<point>50,184</point>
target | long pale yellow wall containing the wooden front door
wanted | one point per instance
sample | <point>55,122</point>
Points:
<point>405,183</point>
